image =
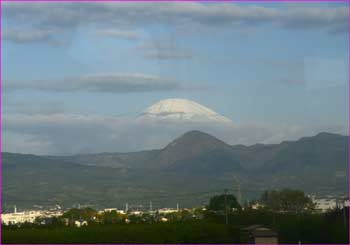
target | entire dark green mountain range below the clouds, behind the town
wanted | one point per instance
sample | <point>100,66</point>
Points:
<point>188,170</point>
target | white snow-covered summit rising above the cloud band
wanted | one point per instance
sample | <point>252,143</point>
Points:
<point>182,110</point>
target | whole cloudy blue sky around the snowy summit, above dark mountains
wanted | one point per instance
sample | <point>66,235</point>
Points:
<point>75,75</point>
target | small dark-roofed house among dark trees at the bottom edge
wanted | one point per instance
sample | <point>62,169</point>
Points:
<point>258,234</point>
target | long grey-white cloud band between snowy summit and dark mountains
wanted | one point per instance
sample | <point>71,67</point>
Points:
<point>72,133</point>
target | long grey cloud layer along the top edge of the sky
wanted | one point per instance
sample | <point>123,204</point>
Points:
<point>66,16</point>
